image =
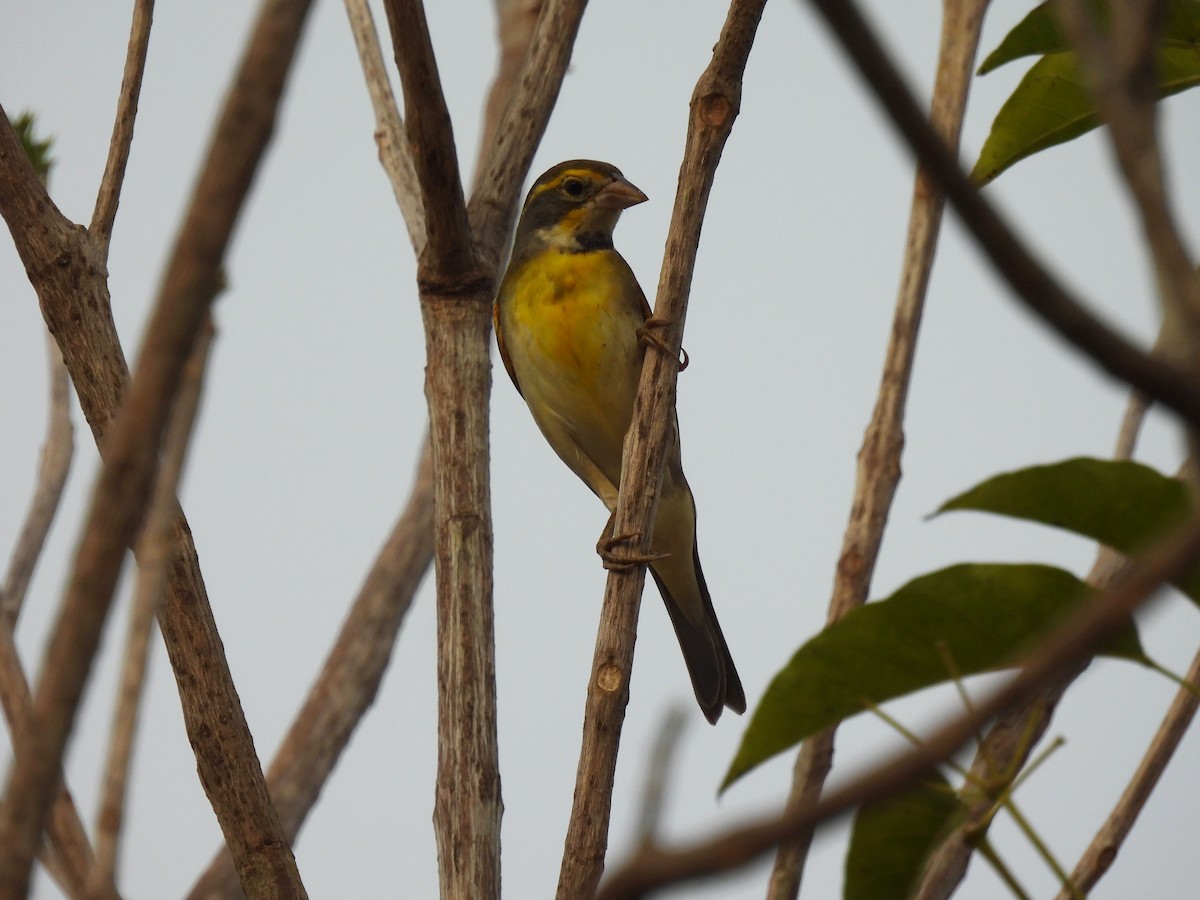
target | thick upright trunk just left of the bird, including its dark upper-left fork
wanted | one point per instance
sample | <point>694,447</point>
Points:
<point>455,296</point>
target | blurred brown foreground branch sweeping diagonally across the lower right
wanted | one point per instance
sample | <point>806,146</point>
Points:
<point>1061,650</point>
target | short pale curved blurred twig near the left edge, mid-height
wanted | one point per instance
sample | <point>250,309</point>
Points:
<point>53,467</point>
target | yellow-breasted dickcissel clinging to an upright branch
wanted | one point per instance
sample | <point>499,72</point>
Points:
<point>569,319</point>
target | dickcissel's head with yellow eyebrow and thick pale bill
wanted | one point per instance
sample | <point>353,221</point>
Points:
<point>575,206</point>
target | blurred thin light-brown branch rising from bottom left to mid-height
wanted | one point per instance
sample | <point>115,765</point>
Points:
<point>157,550</point>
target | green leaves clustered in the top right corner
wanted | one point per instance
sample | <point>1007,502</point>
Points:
<point>1053,105</point>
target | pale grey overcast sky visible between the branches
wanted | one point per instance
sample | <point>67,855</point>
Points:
<point>315,412</point>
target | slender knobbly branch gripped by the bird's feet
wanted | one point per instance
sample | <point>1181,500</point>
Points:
<point>715,106</point>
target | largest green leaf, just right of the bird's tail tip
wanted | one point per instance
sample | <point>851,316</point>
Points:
<point>980,616</point>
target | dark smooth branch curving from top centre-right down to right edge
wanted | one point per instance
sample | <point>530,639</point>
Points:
<point>1033,284</point>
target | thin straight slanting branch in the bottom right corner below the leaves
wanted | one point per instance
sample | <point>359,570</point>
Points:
<point>1103,850</point>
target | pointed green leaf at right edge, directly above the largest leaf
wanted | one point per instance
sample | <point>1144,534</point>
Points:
<point>1124,505</point>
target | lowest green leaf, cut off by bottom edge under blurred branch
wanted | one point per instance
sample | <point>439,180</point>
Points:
<point>892,839</point>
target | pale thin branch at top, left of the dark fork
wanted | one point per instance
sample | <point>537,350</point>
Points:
<point>391,136</point>
